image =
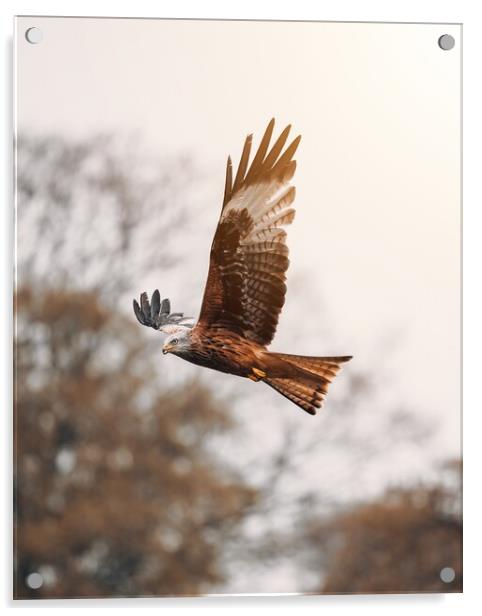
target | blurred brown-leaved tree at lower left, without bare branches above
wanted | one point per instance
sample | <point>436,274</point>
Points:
<point>117,489</point>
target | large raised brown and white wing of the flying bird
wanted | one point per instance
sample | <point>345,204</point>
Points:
<point>245,289</point>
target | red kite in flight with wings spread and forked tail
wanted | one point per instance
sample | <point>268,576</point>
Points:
<point>245,289</point>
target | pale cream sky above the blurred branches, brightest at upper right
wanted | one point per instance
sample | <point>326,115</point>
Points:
<point>377,232</point>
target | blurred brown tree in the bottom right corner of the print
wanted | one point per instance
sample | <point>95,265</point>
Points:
<point>398,543</point>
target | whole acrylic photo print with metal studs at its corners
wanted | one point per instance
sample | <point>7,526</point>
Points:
<point>269,429</point>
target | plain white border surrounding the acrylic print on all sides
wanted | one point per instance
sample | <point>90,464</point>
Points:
<point>461,11</point>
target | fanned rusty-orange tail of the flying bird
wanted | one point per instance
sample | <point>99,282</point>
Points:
<point>307,378</point>
